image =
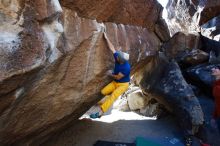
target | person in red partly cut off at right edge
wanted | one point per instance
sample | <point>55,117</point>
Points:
<point>215,121</point>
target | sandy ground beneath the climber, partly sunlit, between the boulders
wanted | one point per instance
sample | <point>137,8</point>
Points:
<point>119,126</point>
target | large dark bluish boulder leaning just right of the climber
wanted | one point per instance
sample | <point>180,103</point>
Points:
<point>166,83</point>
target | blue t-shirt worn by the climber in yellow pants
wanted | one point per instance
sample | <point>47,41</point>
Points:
<point>125,69</point>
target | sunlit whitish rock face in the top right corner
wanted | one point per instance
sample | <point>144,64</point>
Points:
<point>188,15</point>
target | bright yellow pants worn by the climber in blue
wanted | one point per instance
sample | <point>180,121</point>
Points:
<point>113,90</point>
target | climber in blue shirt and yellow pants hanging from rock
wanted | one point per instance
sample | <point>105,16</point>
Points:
<point>121,75</point>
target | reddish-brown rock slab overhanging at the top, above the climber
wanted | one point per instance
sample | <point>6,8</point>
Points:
<point>136,12</point>
